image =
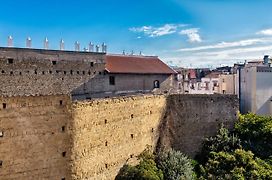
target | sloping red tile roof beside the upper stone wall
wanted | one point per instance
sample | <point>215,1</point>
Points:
<point>136,65</point>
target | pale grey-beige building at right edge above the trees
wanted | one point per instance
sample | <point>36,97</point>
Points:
<point>256,90</point>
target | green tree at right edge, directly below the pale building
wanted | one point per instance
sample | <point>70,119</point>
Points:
<point>256,133</point>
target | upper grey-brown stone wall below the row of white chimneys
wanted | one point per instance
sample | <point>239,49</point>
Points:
<point>47,72</point>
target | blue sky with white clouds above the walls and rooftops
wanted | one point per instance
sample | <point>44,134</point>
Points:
<point>189,33</point>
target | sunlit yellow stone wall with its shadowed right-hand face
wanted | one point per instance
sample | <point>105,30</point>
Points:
<point>108,132</point>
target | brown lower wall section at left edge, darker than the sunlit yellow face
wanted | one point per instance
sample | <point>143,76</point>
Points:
<point>33,138</point>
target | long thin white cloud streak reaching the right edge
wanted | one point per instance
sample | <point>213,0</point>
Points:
<point>223,45</point>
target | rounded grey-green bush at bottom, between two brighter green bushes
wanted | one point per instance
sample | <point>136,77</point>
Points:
<point>175,165</point>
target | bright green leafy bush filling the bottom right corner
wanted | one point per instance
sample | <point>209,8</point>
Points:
<point>239,164</point>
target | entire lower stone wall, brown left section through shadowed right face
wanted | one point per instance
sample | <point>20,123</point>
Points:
<point>51,137</point>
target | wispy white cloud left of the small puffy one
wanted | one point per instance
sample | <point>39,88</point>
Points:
<point>151,31</point>
